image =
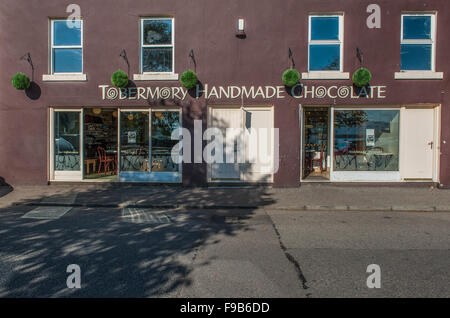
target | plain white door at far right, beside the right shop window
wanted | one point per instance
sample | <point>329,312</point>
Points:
<point>419,143</point>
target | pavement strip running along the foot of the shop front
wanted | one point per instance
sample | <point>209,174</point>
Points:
<point>314,197</point>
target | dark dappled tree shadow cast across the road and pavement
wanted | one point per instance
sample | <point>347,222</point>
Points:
<point>119,256</point>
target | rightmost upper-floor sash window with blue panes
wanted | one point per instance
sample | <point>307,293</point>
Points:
<point>418,42</point>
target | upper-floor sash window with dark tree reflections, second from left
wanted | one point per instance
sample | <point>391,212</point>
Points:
<point>157,45</point>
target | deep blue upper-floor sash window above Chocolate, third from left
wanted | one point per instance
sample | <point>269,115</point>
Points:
<point>326,43</point>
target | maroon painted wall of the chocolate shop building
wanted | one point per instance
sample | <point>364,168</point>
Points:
<point>208,27</point>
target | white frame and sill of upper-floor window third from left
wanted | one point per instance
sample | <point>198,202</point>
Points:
<point>338,74</point>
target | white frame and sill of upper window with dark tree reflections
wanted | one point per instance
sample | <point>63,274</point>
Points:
<point>155,75</point>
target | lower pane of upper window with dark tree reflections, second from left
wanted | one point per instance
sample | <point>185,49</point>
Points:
<point>157,59</point>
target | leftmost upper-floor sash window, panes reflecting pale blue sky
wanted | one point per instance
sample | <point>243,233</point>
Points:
<point>66,46</point>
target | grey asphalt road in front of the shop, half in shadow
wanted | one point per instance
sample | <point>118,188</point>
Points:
<point>236,253</point>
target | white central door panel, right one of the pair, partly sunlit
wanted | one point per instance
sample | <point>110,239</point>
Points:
<point>259,144</point>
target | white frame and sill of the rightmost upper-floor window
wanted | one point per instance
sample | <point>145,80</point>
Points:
<point>421,74</point>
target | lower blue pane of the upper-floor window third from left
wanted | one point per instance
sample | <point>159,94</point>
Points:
<point>324,57</point>
